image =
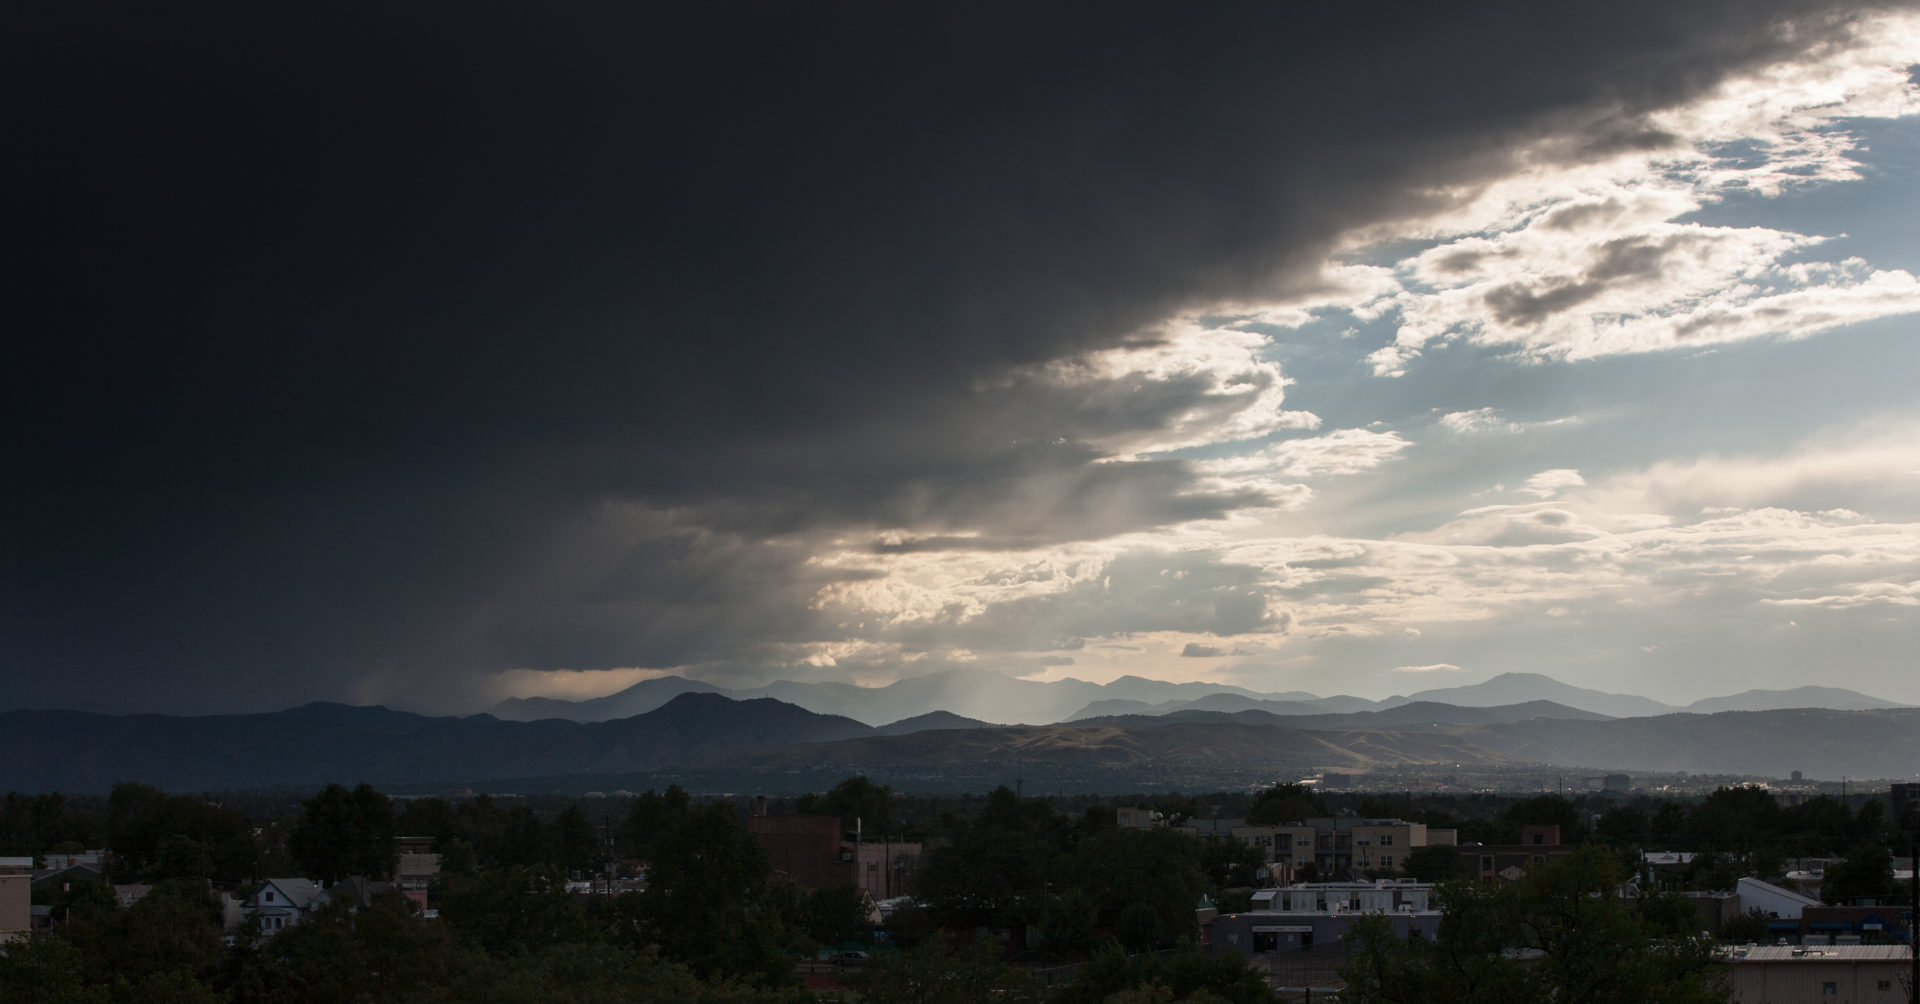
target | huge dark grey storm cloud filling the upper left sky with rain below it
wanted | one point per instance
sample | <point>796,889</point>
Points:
<point>335,323</point>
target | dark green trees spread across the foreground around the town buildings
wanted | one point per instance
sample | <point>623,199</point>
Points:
<point>1009,886</point>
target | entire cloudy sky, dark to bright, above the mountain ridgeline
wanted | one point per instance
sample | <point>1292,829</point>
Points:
<point>431,354</point>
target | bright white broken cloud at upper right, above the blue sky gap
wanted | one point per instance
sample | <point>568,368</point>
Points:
<point>1585,249</point>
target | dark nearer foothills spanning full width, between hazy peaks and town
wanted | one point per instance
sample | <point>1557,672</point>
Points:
<point>771,746</point>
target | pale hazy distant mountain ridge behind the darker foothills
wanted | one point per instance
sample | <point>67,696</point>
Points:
<point>988,696</point>
